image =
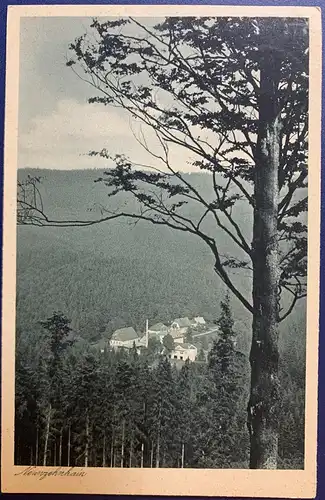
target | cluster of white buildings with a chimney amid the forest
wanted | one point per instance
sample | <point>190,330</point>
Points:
<point>127,338</point>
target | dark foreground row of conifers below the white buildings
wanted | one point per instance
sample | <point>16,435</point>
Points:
<point>76,406</point>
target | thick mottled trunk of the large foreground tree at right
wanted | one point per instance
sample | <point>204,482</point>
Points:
<point>264,396</point>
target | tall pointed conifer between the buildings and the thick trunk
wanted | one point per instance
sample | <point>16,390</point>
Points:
<point>224,396</point>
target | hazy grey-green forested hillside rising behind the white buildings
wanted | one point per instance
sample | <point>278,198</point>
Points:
<point>116,274</point>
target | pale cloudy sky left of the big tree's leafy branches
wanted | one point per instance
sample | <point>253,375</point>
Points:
<point>57,127</point>
